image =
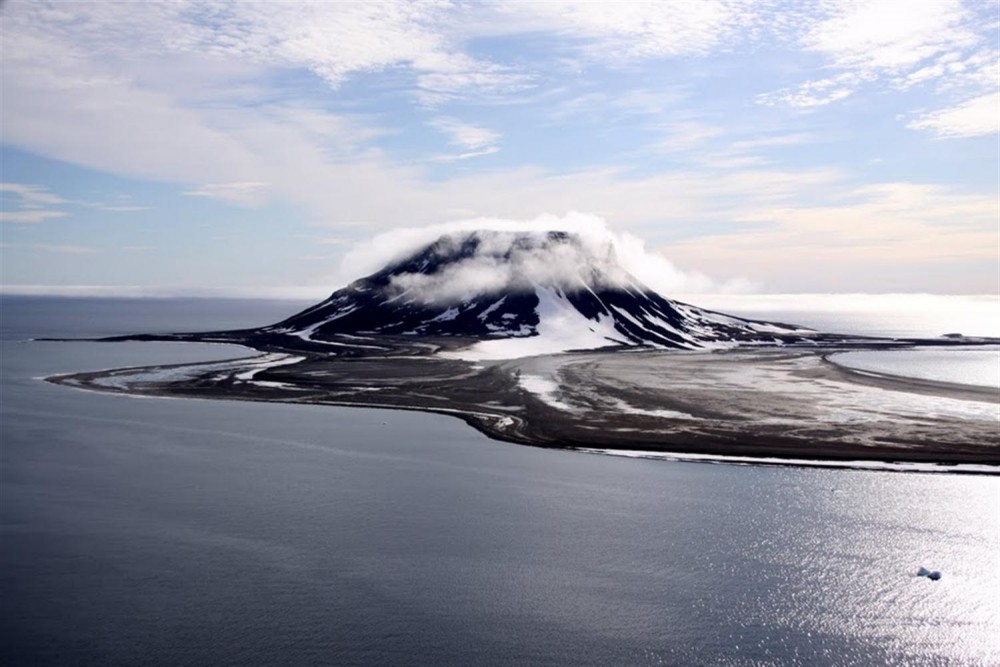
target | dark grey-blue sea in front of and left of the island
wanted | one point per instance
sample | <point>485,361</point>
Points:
<point>151,531</point>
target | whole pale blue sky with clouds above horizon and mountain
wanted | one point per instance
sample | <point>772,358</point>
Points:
<point>249,148</point>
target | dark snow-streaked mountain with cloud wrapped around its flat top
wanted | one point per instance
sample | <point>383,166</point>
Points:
<point>552,290</point>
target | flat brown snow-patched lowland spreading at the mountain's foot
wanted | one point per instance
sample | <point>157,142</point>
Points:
<point>600,404</point>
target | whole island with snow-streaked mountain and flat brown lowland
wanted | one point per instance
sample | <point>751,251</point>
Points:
<point>543,339</point>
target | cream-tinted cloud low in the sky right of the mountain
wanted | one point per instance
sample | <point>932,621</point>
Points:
<point>874,232</point>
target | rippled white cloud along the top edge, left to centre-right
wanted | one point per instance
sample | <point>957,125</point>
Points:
<point>341,39</point>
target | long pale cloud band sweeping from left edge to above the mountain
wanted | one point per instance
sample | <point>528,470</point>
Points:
<point>117,126</point>
